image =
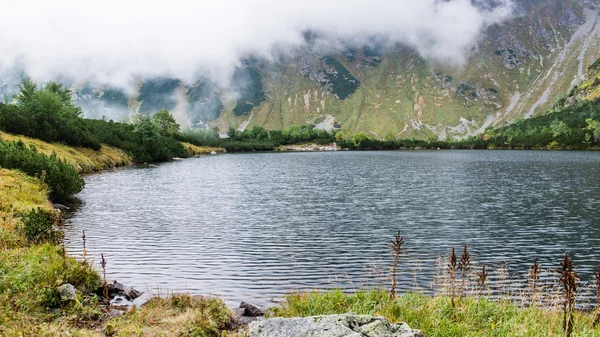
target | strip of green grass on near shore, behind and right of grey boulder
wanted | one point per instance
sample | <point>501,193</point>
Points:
<point>472,316</point>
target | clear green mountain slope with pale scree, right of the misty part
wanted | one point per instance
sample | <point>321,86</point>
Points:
<point>519,70</point>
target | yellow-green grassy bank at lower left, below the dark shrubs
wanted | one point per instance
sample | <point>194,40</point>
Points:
<point>30,274</point>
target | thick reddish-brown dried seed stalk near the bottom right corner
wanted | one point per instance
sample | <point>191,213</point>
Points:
<point>568,278</point>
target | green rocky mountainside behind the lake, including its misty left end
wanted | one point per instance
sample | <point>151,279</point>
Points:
<point>518,69</point>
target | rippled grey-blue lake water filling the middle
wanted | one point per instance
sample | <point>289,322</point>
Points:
<point>255,226</point>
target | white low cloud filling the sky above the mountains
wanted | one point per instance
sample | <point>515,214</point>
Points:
<point>115,42</point>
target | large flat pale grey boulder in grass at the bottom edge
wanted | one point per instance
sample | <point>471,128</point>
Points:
<point>347,325</point>
